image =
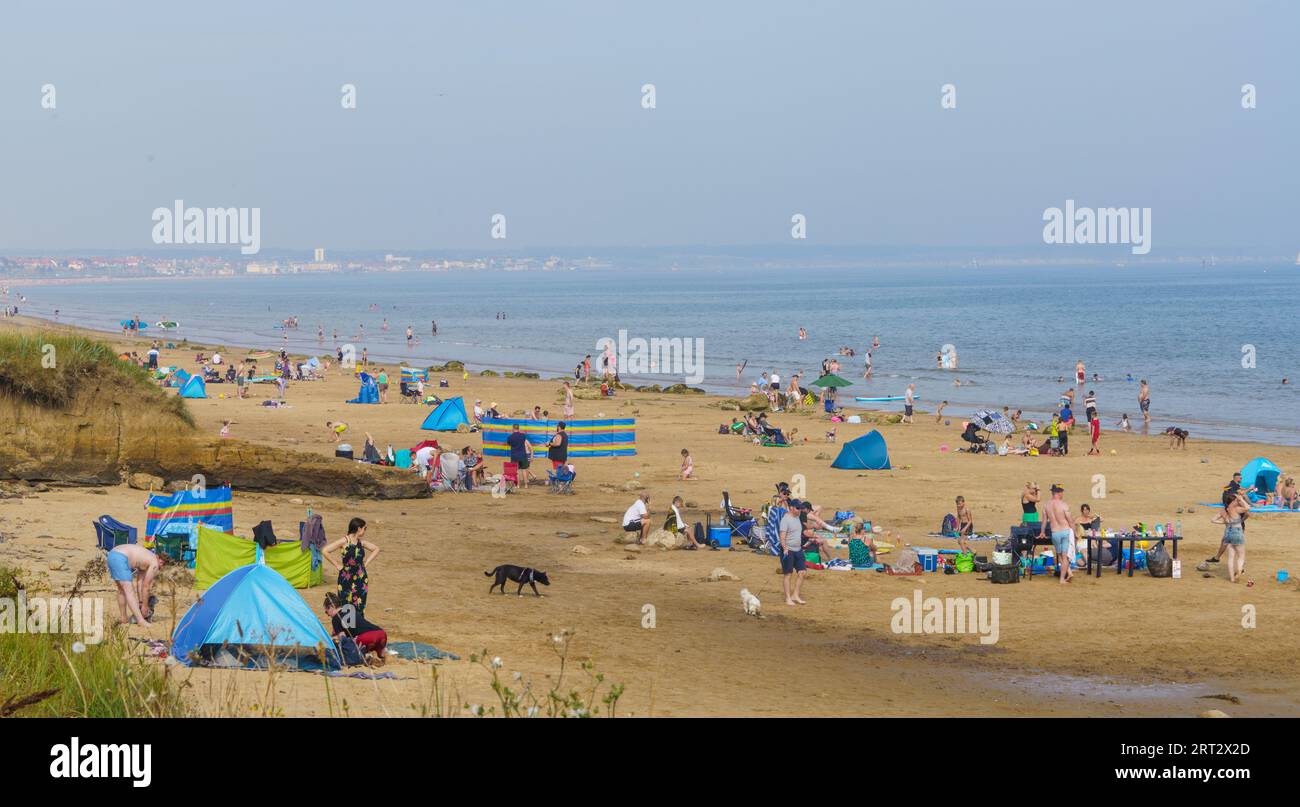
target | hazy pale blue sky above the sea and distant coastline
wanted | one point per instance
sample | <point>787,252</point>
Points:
<point>534,110</point>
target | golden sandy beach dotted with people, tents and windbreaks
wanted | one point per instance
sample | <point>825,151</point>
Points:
<point>1111,647</point>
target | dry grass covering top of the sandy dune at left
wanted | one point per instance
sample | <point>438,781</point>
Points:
<point>51,368</point>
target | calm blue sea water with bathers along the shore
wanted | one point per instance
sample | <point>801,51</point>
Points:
<point>1016,331</point>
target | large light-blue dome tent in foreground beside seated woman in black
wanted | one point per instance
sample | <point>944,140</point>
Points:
<point>253,618</point>
